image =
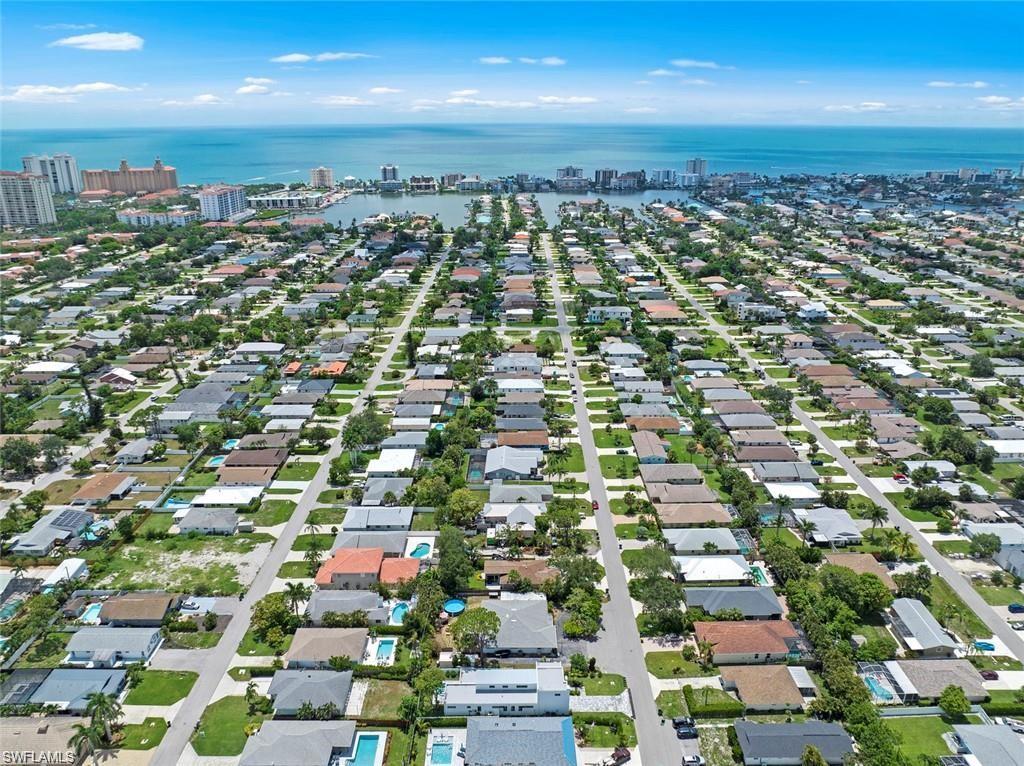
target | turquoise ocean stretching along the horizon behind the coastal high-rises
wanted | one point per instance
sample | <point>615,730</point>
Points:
<point>254,155</point>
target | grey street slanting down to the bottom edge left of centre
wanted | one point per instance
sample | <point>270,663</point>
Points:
<point>174,746</point>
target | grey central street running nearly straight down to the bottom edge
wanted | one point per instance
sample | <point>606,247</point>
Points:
<point>619,637</point>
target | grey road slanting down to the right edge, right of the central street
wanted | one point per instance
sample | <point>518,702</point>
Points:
<point>943,568</point>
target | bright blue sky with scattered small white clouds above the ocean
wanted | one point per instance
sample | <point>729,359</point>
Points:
<point>165,64</point>
